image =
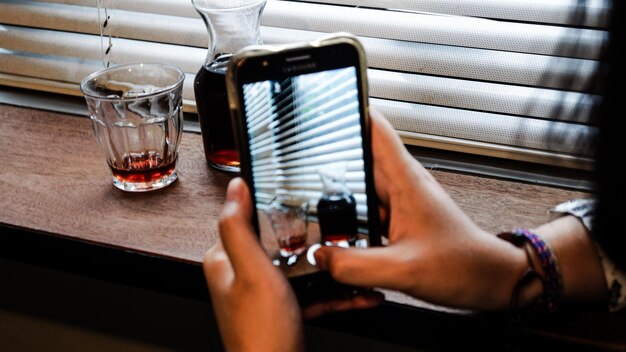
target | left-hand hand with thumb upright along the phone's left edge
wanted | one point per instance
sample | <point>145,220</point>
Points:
<point>255,307</point>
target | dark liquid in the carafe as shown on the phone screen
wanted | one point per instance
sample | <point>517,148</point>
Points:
<point>337,217</point>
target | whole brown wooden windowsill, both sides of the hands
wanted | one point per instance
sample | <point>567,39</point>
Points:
<point>55,181</point>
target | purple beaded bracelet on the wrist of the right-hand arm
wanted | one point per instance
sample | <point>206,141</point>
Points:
<point>551,280</point>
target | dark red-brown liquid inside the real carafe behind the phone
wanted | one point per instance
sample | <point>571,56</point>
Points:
<point>220,149</point>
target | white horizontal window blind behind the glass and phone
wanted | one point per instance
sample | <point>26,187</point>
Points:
<point>514,79</point>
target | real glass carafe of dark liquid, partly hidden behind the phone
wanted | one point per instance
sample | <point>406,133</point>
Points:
<point>231,25</point>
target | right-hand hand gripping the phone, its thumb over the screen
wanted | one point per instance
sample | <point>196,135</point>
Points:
<point>435,252</point>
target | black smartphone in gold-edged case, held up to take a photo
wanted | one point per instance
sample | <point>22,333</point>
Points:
<point>300,115</point>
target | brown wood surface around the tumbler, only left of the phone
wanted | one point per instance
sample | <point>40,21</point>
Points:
<point>54,178</point>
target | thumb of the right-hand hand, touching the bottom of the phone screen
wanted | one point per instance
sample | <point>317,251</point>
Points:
<point>371,267</point>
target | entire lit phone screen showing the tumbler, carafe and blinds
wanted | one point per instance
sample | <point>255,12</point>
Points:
<point>306,153</point>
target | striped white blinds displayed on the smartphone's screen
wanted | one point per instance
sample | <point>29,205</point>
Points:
<point>305,139</point>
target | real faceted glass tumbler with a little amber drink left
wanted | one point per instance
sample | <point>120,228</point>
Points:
<point>137,116</point>
